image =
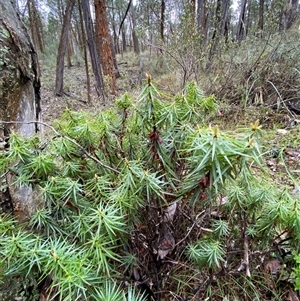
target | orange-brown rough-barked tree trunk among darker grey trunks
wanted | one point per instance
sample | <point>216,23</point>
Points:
<point>103,43</point>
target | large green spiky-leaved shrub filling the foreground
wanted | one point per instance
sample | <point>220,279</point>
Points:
<point>146,195</point>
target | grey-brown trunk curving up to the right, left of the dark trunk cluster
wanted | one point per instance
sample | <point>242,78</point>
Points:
<point>62,48</point>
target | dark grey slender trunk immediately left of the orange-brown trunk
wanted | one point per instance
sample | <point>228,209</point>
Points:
<point>95,60</point>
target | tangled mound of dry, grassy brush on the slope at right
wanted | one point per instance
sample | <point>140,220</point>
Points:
<point>259,71</point>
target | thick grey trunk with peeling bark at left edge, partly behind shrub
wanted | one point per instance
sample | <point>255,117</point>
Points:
<point>19,101</point>
